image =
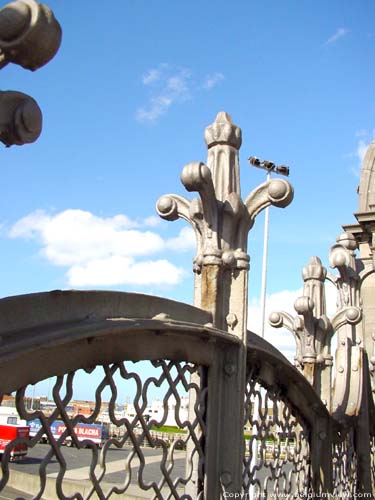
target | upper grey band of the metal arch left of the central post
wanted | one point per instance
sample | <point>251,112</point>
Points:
<point>46,308</point>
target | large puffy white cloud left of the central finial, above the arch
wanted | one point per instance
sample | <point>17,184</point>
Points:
<point>102,250</point>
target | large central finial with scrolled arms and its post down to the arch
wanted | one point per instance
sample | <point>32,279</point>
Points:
<point>222,221</point>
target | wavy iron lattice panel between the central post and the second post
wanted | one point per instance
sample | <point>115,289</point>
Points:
<point>277,453</point>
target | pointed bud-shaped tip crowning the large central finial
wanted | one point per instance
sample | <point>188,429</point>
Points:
<point>223,131</point>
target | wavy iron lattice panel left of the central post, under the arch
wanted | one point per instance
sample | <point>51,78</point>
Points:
<point>136,457</point>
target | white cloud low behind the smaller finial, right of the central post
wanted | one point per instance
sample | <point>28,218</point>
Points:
<point>284,300</point>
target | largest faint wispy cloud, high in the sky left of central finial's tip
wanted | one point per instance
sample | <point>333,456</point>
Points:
<point>174,88</point>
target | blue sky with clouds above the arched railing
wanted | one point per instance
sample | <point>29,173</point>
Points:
<point>125,104</point>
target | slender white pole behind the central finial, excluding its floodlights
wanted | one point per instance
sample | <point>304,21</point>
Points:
<point>263,296</point>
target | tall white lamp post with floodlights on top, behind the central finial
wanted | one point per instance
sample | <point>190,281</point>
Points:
<point>270,167</point>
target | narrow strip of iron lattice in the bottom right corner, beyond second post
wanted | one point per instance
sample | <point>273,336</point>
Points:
<point>345,467</point>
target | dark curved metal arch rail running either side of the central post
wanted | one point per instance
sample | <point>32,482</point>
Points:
<point>53,333</point>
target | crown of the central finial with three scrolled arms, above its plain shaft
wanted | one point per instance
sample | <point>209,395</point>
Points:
<point>220,218</point>
